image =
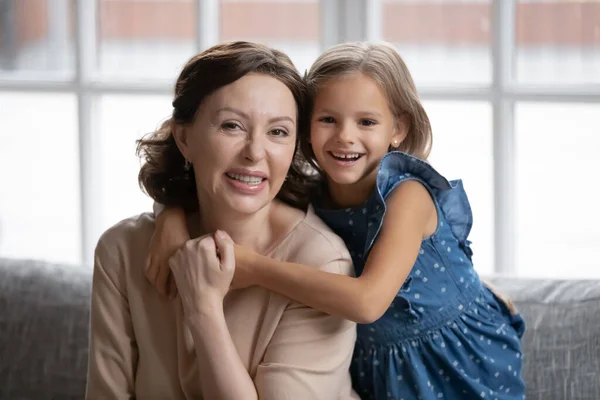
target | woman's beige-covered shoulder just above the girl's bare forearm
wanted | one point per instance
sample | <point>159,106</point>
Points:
<point>312,242</point>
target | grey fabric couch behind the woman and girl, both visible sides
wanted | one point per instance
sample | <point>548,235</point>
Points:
<point>44,333</point>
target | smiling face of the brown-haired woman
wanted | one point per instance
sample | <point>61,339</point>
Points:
<point>241,143</point>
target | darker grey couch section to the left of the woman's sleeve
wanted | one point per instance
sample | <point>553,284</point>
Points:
<point>44,316</point>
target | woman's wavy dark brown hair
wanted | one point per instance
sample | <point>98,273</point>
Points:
<point>163,175</point>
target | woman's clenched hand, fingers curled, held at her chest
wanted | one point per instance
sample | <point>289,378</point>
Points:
<point>202,276</point>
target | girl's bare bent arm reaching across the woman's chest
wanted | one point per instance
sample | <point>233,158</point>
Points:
<point>410,216</point>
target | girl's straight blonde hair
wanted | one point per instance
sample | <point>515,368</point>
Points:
<point>382,63</point>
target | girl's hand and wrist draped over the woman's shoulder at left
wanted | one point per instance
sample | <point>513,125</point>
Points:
<point>170,234</point>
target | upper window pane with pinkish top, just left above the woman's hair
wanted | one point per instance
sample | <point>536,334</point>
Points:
<point>144,39</point>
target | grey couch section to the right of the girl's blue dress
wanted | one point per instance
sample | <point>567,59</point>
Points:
<point>562,341</point>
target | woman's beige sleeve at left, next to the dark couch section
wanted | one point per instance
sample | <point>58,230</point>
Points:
<point>113,352</point>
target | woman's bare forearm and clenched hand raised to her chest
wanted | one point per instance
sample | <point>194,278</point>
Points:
<point>203,281</point>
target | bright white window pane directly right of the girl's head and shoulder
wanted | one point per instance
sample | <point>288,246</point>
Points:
<point>462,149</point>
